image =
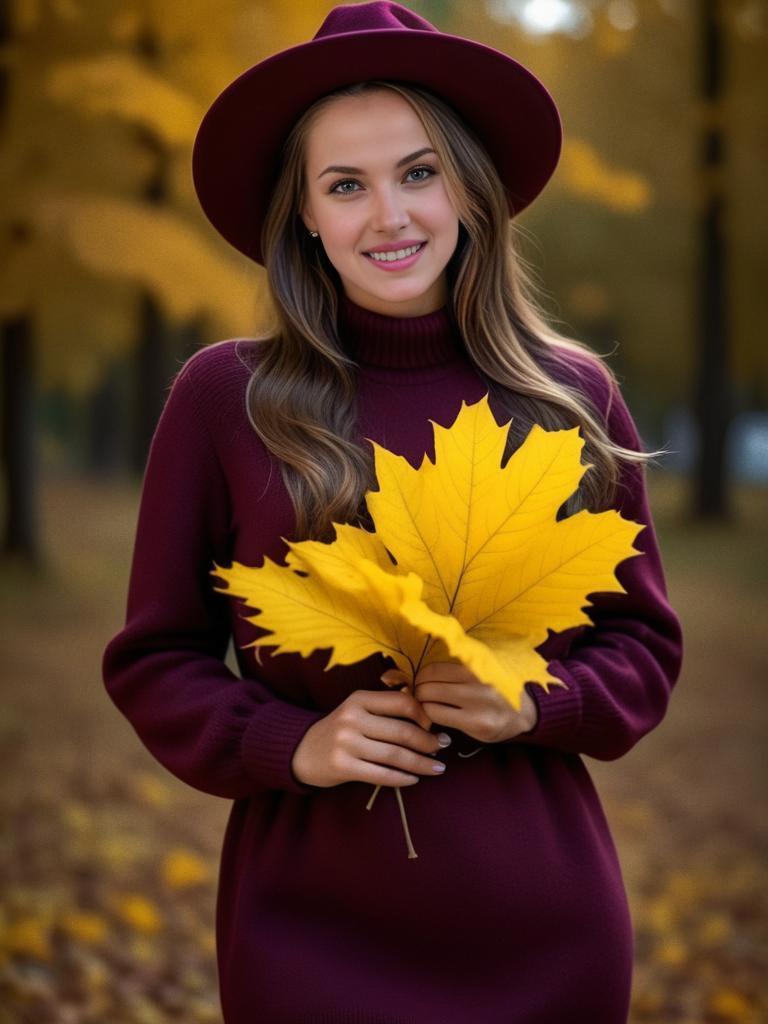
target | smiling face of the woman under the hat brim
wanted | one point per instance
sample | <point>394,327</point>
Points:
<point>374,184</point>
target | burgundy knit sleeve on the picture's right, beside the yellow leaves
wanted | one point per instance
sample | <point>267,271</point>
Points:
<point>620,672</point>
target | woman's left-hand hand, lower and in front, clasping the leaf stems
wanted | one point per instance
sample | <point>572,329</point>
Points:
<point>373,737</point>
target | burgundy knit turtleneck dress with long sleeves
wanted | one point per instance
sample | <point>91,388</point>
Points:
<point>515,911</point>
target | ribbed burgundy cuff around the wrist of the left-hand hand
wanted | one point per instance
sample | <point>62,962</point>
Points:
<point>270,742</point>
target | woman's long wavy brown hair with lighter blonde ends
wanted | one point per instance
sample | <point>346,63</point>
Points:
<point>302,398</point>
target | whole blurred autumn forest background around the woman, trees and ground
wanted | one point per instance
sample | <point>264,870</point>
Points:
<point>650,244</point>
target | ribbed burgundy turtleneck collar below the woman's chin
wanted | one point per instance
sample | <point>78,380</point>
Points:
<point>399,343</point>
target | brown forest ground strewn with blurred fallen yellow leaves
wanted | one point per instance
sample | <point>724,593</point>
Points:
<point>108,864</point>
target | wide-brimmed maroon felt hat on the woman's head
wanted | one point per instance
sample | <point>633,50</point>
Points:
<point>237,150</point>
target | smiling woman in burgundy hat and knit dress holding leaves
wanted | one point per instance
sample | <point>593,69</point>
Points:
<point>383,136</point>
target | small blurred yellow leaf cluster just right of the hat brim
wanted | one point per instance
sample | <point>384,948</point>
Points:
<point>584,173</point>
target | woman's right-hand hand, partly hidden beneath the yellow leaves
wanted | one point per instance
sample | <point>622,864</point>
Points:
<point>454,697</point>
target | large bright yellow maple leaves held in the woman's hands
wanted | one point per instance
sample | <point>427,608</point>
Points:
<point>484,571</point>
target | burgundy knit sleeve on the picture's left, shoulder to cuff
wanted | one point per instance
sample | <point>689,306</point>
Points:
<point>165,670</point>
